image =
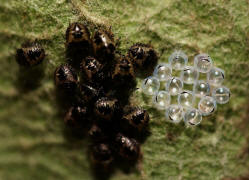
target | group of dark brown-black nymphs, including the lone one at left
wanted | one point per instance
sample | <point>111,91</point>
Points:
<point>96,82</point>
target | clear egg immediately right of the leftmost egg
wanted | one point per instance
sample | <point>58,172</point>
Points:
<point>174,86</point>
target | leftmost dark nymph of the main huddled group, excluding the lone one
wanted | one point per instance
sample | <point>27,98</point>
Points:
<point>66,78</point>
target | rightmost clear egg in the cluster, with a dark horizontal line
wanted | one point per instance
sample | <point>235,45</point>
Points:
<point>221,95</point>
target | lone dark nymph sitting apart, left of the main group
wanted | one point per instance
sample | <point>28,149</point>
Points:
<point>30,54</point>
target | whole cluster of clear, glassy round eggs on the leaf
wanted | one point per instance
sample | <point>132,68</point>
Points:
<point>205,93</point>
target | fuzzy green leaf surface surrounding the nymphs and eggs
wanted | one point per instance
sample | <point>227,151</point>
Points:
<point>33,144</point>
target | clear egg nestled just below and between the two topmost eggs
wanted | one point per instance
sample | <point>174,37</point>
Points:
<point>189,75</point>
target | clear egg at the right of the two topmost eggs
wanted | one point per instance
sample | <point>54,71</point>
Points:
<point>203,63</point>
